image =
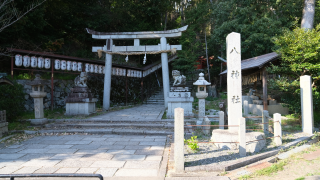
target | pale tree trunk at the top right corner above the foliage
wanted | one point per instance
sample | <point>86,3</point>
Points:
<point>308,14</point>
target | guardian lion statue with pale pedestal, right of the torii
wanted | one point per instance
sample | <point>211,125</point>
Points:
<point>179,96</point>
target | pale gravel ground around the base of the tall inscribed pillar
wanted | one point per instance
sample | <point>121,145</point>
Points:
<point>208,153</point>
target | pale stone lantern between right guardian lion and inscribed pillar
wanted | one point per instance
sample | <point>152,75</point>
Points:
<point>201,94</point>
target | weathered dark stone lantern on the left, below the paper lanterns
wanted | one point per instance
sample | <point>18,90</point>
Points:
<point>38,94</point>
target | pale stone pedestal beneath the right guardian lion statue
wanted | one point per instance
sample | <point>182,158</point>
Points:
<point>180,100</point>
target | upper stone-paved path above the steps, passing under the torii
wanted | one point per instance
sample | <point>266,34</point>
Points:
<point>151,112</point>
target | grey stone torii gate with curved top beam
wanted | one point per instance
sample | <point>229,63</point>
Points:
<point>136,36</point>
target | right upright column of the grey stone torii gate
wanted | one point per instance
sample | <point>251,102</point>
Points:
<point>165,71</point>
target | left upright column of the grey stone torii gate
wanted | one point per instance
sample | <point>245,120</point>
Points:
<point>107,79</point>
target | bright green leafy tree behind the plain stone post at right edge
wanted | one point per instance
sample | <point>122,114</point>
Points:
<point>300,55</point>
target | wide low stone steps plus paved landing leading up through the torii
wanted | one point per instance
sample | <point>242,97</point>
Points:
<point>144,119</point>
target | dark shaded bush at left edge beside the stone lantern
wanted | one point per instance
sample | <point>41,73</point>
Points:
<point>12,100</point>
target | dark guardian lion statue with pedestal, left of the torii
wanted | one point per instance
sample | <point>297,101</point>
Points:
<point>80,101</point>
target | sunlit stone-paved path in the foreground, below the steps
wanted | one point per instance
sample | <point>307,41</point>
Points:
<point>108,155</point>
